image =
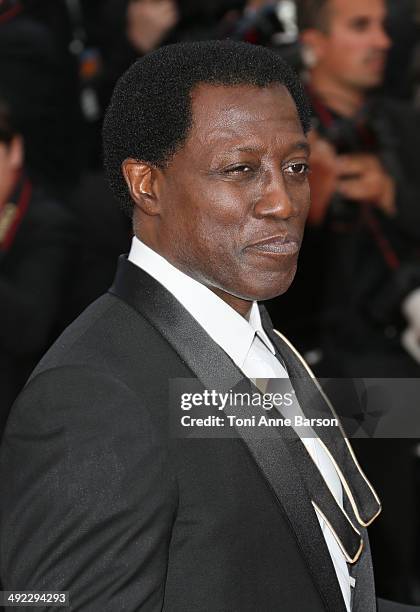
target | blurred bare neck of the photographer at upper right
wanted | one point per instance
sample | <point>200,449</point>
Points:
<point>342,99</point>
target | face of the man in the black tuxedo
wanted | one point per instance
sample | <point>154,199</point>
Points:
<point>235,197</point>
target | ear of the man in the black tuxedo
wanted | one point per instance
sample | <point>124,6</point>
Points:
<point>141,179</point>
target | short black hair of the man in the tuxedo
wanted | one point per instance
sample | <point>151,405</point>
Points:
<point>149,115</point>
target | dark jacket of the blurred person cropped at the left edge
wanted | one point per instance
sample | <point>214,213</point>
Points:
<point>34,269</point>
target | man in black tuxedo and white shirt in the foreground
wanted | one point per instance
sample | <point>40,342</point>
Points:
<point>205,146</point>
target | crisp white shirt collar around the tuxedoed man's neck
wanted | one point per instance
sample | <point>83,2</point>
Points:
<point>232,332</point>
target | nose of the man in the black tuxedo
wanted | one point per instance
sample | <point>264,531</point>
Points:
<point>275,200</point>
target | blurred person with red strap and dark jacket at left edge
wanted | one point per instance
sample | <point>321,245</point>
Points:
<point>37,239</point>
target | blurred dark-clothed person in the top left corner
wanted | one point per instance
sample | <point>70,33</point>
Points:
<point>35,62</point>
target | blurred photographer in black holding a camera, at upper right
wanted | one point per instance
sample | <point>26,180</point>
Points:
<point>360,258</point>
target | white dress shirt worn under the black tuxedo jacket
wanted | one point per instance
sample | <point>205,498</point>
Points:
<point>247,344</point>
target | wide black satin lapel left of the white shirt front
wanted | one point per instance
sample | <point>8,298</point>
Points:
<point>213,367</point>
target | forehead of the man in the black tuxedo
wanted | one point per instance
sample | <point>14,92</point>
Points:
<point>230,113</point>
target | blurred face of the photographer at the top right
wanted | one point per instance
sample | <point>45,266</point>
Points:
<point>354,49</point>
